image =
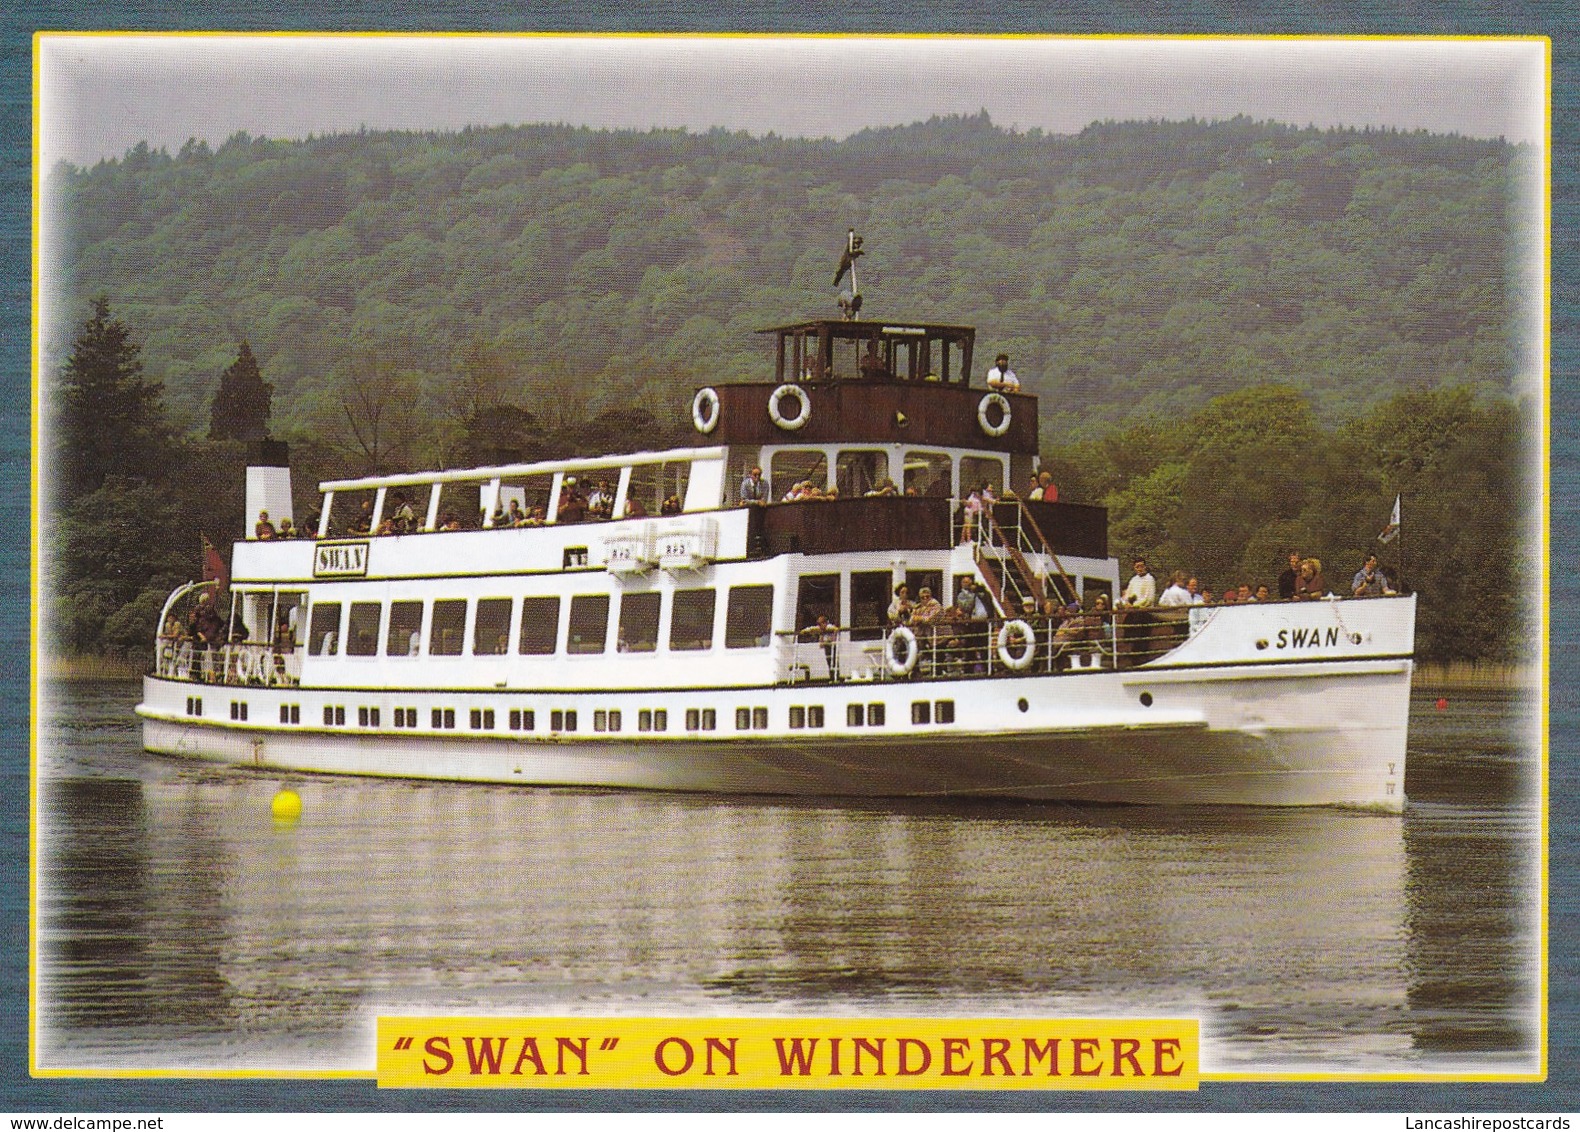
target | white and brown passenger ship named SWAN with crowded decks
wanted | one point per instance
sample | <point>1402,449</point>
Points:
<point>424,632</point>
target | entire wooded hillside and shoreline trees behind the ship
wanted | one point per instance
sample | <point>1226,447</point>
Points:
<point>1244,338</point>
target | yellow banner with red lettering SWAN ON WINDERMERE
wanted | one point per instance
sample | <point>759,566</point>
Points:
<point>789,1054</point>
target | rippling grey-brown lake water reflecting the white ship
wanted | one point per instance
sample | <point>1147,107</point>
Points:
<point>181,927</point>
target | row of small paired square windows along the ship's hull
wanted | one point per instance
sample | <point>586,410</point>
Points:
<point>606,720</point>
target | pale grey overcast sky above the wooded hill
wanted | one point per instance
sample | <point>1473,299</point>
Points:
<point>100,96</point>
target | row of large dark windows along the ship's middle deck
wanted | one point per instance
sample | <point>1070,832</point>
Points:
<point>484,627</point>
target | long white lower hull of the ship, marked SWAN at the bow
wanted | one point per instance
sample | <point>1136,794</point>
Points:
<point>1288,734</point>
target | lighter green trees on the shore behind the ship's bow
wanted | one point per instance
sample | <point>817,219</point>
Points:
<point>1232,491</point>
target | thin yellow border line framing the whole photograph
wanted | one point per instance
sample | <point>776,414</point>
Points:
<point>1544,526</point>
